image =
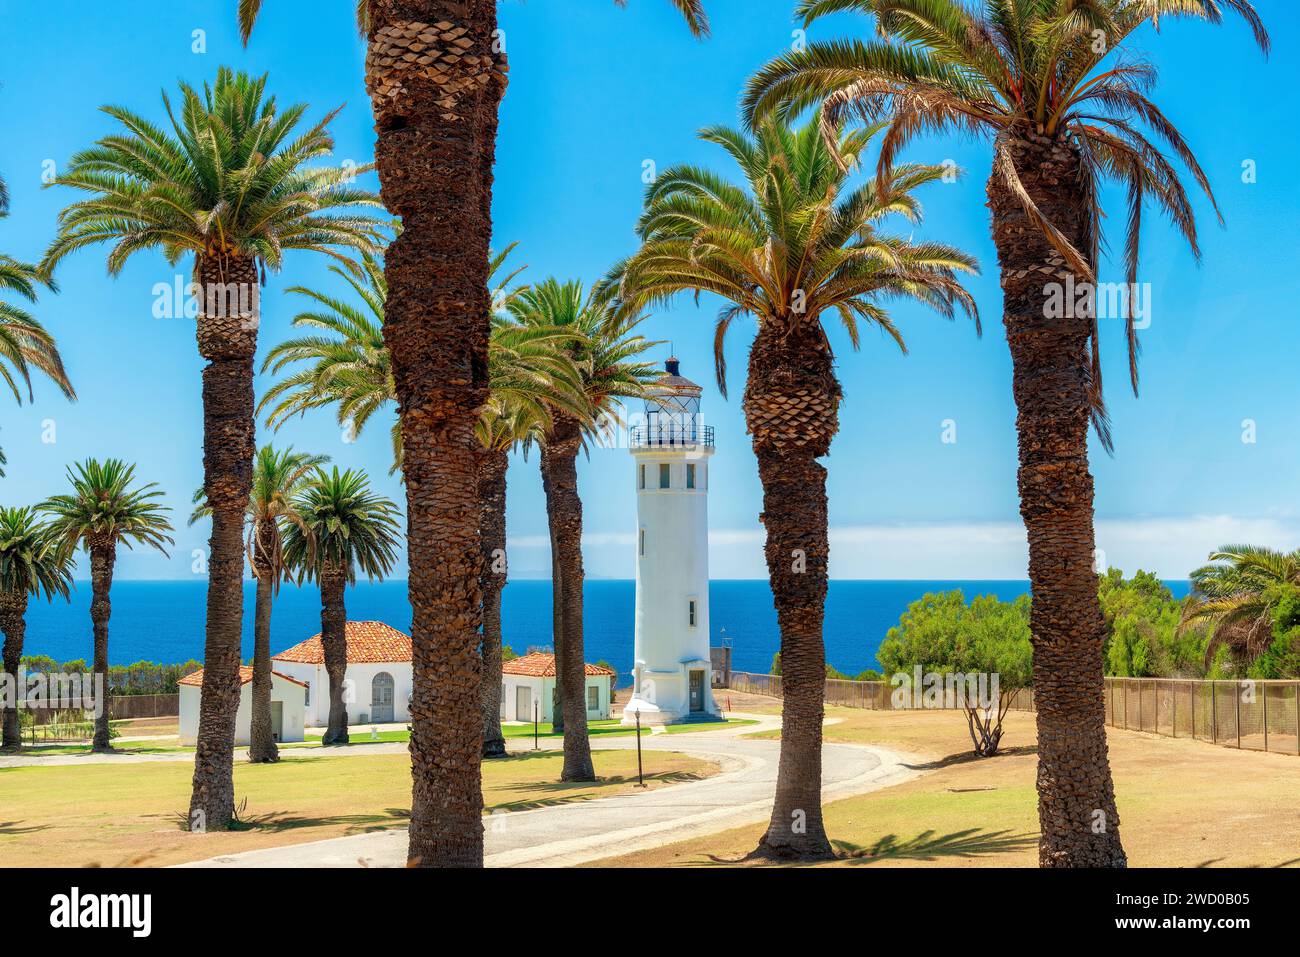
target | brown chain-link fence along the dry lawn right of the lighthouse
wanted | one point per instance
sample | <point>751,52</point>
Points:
<point>1256,716</point>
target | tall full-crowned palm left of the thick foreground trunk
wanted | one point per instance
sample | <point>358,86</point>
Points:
<point>229,184</point>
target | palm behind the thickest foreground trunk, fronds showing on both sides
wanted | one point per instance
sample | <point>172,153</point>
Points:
<point>349,367</point>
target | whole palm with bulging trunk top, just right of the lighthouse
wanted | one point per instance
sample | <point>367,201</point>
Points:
<point>790,248</point>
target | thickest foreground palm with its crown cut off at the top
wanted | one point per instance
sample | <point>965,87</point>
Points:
<point>436,72</point>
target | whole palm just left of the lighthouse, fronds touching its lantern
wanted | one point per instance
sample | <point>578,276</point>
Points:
<point>605,353</point>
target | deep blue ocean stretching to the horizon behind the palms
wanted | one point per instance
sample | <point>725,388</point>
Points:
<point>163,621</point>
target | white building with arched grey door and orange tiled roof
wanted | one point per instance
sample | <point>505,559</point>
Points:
<point>376,686</point>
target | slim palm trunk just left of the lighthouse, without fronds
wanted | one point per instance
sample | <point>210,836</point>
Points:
<point>565,512</point>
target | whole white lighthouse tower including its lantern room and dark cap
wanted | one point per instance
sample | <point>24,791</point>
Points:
<point>671,668</point>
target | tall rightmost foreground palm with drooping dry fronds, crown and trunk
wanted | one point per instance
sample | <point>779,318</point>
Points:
<point>1050,83</point>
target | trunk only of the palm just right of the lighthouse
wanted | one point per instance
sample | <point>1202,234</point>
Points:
<point>792,412</point>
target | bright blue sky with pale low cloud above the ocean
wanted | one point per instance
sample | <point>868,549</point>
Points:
<point>599,90</point>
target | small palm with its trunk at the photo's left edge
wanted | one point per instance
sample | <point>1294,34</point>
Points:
<point>32,564</point>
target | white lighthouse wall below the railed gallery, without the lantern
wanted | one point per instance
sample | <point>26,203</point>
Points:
<point>673,570</point>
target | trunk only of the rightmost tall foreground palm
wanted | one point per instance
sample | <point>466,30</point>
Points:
<point>1052,376</point>
